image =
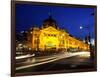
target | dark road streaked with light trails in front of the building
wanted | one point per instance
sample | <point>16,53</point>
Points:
<point>61,61</point>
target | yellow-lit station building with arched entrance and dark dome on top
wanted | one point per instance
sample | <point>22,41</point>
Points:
<point>51,37</point>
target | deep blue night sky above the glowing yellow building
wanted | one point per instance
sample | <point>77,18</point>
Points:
<point>68,18</point>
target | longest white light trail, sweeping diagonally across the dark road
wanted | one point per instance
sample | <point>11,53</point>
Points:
<point>57,57</point>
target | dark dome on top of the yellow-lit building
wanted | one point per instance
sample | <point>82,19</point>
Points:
<point>49,22</point>
